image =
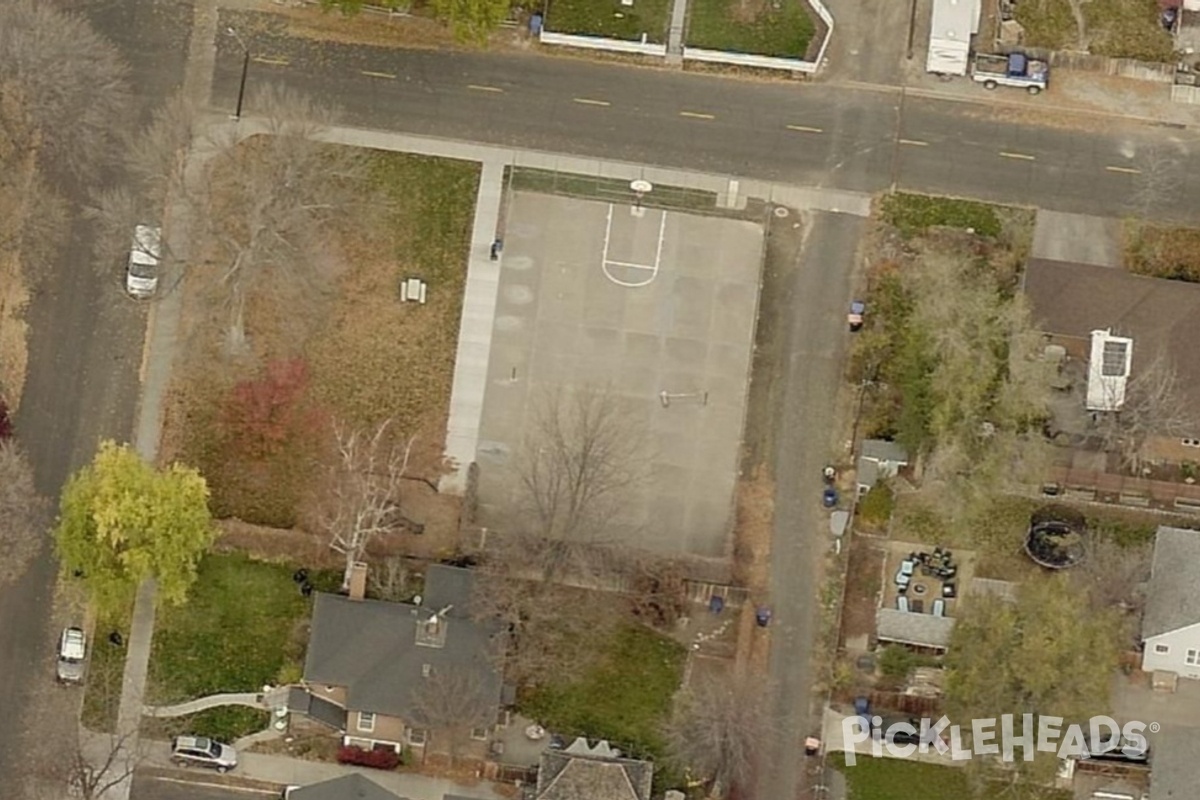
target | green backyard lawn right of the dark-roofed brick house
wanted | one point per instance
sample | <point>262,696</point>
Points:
<point>625,700</point>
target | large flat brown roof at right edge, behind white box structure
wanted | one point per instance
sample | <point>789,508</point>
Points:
<point>1162,317</point>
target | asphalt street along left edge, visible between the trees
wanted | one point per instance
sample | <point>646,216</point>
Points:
<point>82,386</point>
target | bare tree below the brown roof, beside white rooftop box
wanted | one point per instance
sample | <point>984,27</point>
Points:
<point>1154,406</point>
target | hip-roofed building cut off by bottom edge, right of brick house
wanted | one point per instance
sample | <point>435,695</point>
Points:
<point>596,773</point>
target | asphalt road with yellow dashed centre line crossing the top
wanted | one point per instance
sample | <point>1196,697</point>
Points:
<point>839,136</point>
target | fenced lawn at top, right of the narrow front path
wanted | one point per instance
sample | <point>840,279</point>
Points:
<point>782,28</point>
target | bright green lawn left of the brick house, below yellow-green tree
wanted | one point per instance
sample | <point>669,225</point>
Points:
<point>238,631</point>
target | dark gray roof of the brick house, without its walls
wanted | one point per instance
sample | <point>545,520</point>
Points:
<point>370,647</point>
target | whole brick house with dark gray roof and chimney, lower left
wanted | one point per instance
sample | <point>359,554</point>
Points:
<point>401,675</point>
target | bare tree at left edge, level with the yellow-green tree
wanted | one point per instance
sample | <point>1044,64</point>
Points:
<point>22,519</point>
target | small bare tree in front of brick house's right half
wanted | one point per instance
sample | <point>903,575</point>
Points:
<point>453,703</point>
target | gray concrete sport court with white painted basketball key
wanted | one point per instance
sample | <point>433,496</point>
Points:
<point>658,308</point>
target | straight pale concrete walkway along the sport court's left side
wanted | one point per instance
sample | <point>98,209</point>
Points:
<point>475,330</point>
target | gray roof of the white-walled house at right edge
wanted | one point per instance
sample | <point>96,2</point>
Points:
<point>1172,598</point>
